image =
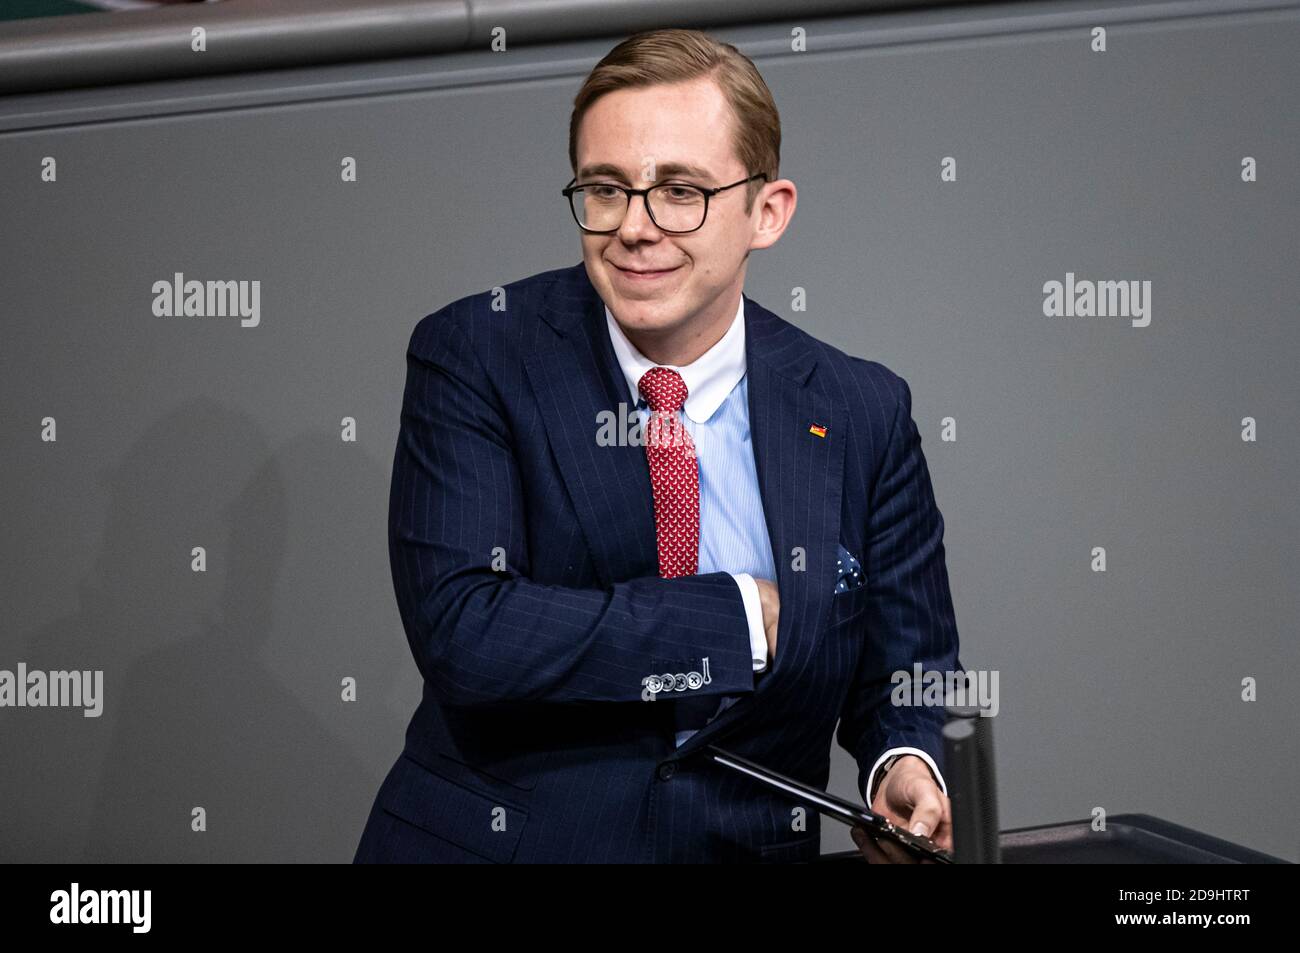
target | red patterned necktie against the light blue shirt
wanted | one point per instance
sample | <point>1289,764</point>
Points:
<point>674,474</point>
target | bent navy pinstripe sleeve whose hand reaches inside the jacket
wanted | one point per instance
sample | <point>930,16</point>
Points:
<point>486,635</point>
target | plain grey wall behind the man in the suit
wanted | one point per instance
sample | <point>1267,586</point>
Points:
<point>1119,690</point>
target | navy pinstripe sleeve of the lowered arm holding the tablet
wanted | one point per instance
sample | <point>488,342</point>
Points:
<point>909,618</point>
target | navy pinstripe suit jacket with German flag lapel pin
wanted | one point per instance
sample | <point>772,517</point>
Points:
<point>532,742</point>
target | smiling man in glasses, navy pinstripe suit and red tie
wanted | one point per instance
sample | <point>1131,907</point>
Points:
<point>635,514</point>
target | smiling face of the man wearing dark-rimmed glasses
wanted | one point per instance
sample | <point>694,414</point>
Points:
<point>634,138</point>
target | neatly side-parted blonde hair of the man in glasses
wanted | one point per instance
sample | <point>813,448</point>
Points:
<point>674,57</point>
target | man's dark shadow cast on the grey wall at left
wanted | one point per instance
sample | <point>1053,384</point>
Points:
<point>218,692</point>
